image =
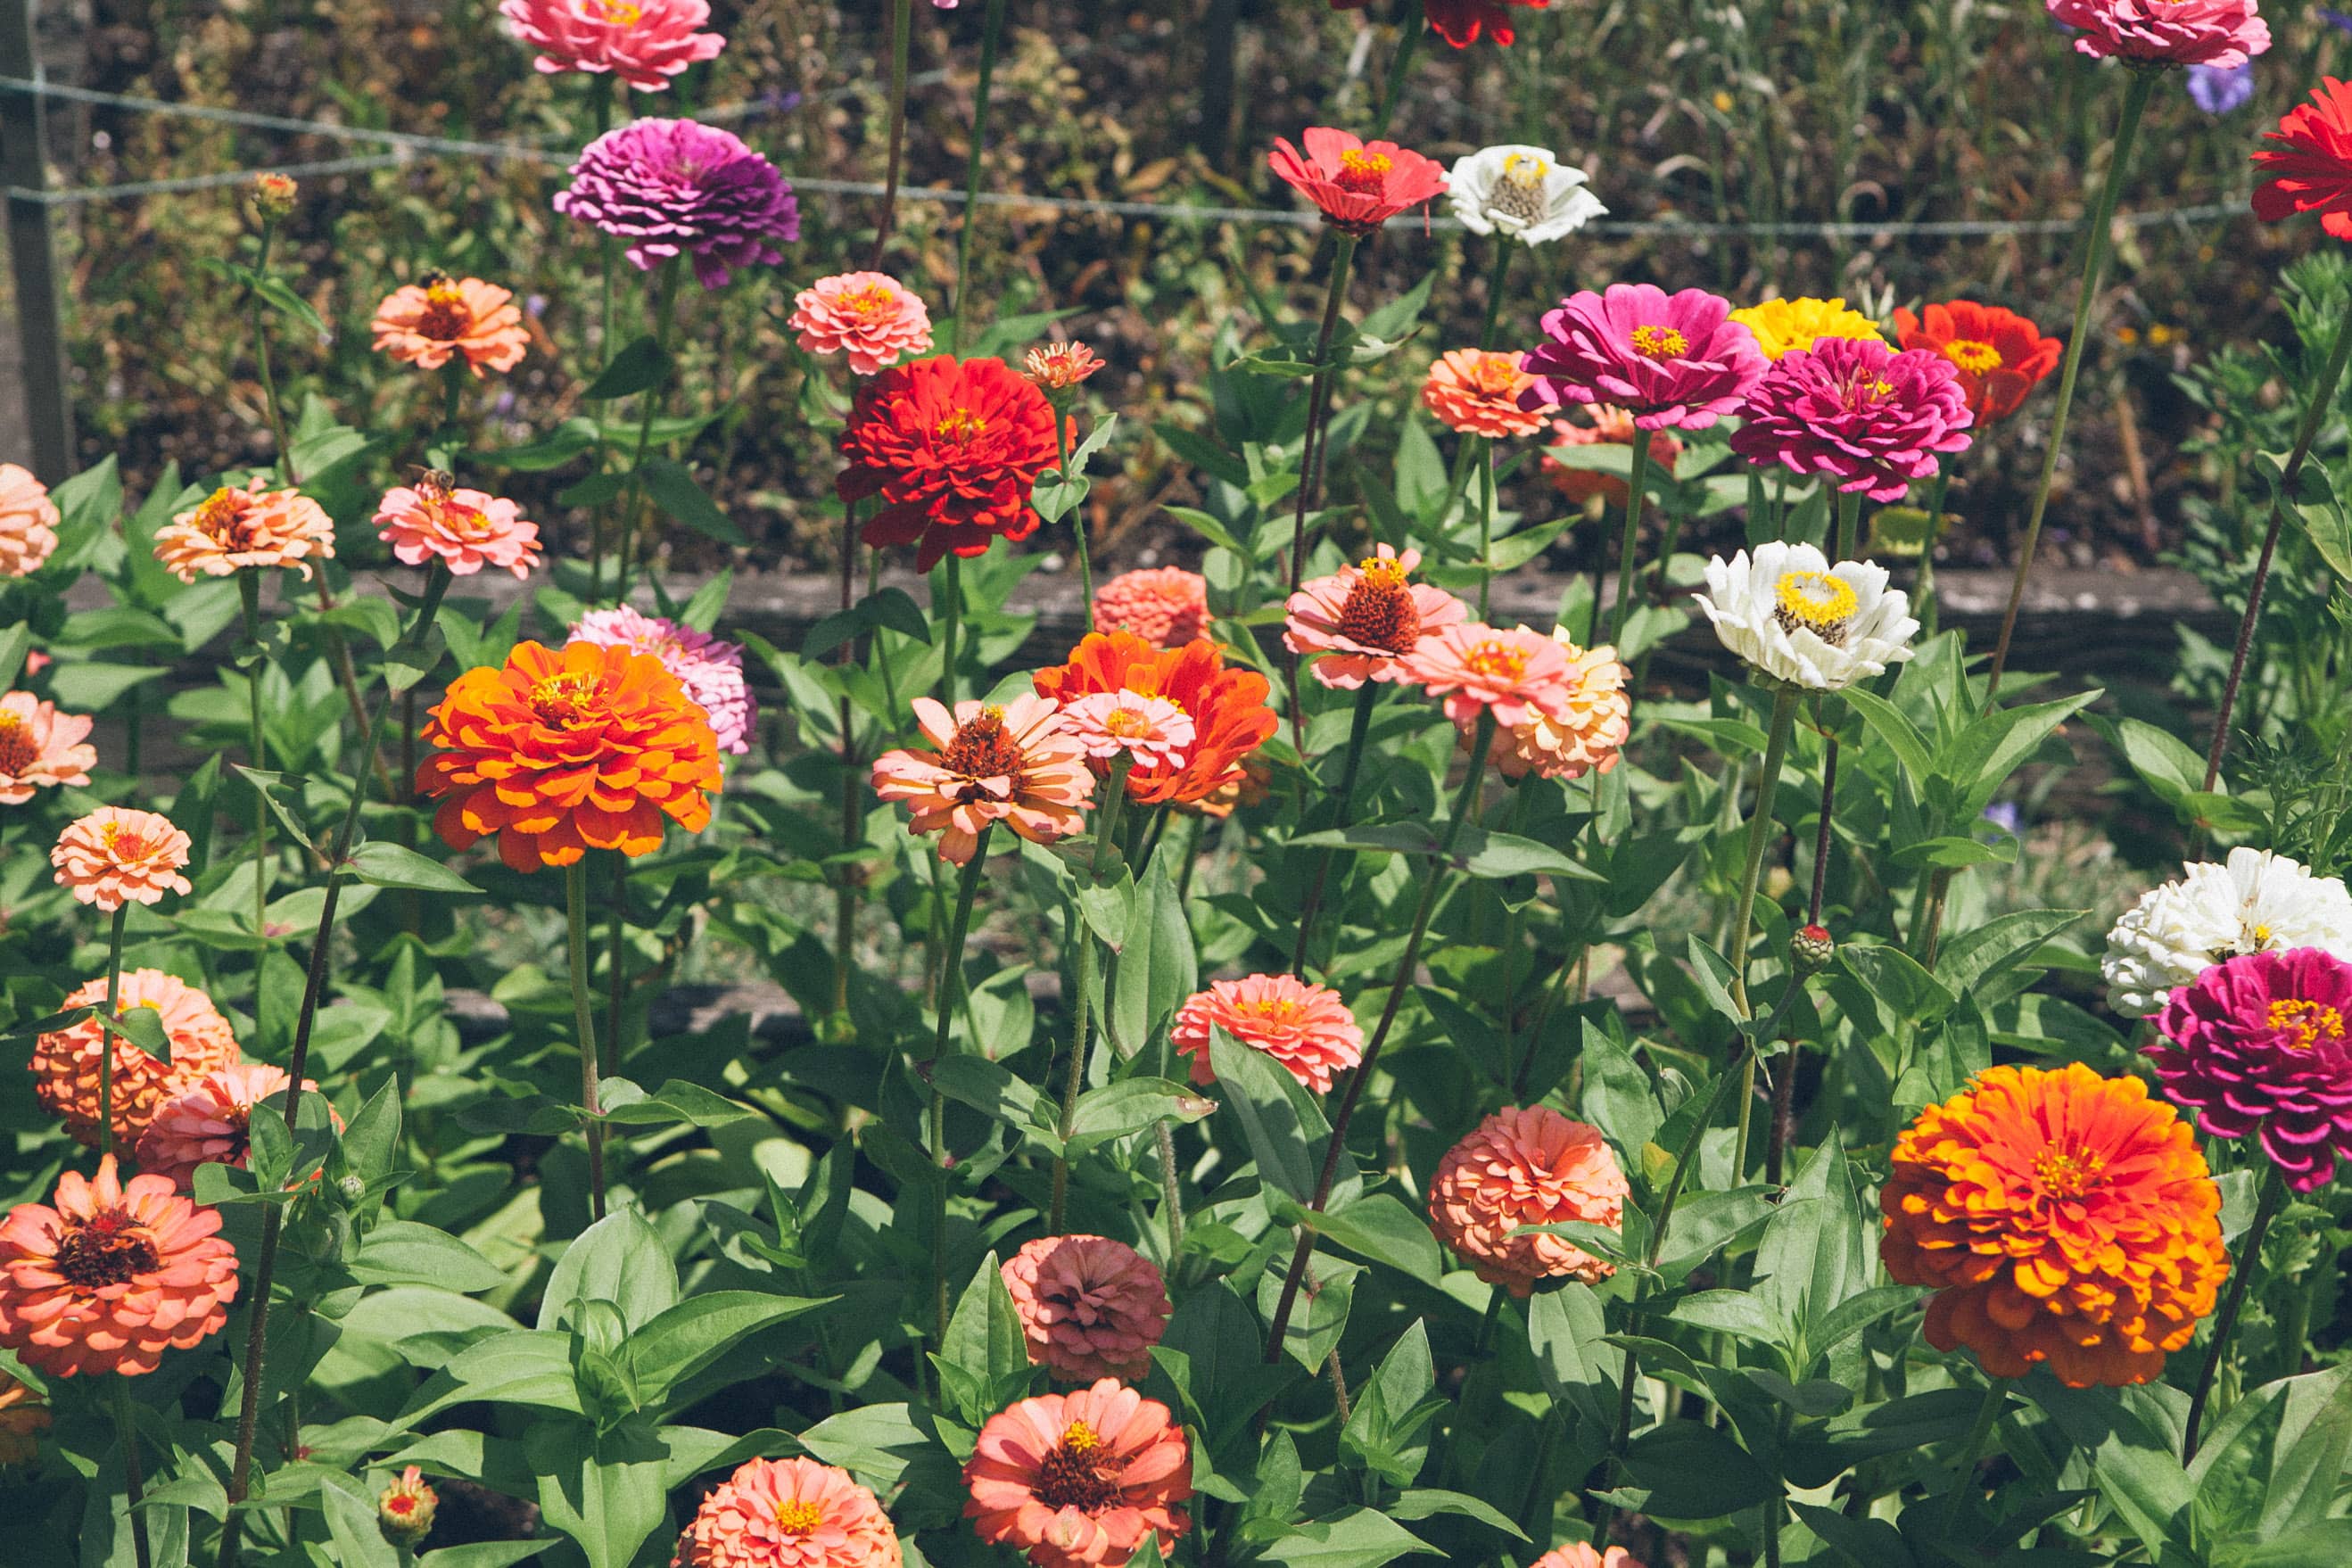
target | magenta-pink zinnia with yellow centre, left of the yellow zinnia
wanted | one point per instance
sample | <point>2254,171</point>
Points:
<point>1673,361</point>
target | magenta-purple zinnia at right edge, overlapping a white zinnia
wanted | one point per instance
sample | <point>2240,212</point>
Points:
<point>2259,1045</point>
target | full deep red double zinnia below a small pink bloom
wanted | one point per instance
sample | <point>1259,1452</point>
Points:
<point>954,448</point>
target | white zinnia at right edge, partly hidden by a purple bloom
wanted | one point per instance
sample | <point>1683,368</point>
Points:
<point>2252,904</point>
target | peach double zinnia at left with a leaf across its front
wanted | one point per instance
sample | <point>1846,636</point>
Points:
<point>67,1061</point>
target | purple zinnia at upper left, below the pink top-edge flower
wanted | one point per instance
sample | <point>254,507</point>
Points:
<point>674,189</point>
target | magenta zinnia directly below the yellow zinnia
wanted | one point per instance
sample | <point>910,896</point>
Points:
<point>1859,413</point>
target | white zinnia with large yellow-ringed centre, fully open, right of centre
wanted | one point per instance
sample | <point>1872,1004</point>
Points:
<point>1803,622</point>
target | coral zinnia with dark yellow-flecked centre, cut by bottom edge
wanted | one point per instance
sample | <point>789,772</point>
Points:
<point>1081,1480</point>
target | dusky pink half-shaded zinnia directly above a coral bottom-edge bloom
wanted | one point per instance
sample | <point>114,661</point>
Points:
<point>1090,1306</point>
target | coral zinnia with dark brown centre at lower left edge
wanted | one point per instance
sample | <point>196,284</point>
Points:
<point>112,1275</point>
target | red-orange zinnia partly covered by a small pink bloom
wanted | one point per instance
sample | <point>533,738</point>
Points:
<point>1227,709</point>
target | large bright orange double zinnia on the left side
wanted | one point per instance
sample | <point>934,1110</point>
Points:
<point>568,751</point>
